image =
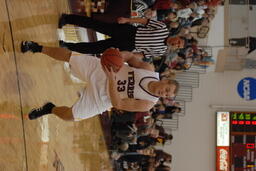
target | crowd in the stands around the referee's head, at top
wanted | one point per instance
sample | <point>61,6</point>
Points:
<point>188,20</point>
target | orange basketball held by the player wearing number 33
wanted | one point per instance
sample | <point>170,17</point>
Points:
<point>112,58</point>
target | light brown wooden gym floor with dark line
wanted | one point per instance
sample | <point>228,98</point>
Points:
<point>28,81</point>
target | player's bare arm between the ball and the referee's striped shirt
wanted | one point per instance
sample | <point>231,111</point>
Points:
<point>135,60</point>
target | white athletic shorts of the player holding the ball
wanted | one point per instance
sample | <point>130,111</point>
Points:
<point>94,98</point>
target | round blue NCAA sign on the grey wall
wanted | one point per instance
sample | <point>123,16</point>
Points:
<point>247,88</point>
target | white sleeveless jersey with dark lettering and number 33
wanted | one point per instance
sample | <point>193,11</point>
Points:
<point>129,83</point>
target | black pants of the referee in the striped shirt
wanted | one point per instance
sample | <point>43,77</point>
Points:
<point>122,35</point>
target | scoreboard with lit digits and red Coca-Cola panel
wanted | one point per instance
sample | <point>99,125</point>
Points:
<point>236,140</point>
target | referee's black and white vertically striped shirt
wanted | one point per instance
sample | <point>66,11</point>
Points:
<point>150,39</point>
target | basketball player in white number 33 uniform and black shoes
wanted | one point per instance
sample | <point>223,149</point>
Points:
<point>135,88</point>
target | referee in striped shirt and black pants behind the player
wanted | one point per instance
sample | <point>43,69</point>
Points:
<point>150,39</point>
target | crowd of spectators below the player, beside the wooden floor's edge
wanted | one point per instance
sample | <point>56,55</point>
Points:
<point>134,135</point>
